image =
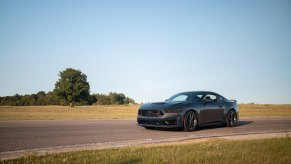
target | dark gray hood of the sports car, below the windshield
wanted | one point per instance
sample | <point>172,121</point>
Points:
<point>164,105</point>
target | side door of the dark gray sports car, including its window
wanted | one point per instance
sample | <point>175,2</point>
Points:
<point>211,110</point>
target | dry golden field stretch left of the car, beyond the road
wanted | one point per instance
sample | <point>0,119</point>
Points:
<point>64,112</point>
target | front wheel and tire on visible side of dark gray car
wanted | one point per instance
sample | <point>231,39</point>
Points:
<point>190,121</point>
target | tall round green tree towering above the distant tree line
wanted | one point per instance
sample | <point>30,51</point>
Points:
<point>72,87</point>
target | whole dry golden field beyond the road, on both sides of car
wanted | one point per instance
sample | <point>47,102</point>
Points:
<point>115,112</point>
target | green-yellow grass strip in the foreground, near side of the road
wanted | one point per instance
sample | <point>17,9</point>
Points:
<point>215,151</point>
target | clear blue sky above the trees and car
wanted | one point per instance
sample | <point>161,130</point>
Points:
<point>149,50</point>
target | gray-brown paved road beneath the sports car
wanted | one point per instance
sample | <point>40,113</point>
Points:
<point>23,135</point>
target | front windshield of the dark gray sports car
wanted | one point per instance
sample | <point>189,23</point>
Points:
<point>189,97</point>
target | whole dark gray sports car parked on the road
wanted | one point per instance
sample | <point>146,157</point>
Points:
<point>188,110</point>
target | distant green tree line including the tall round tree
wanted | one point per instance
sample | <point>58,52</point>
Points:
<point>71,89</point>
